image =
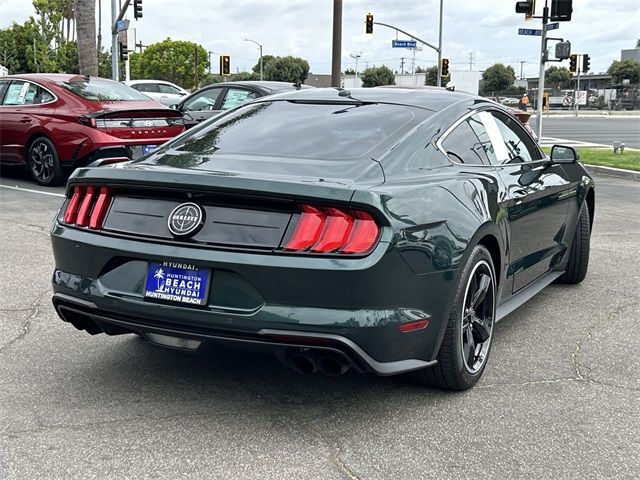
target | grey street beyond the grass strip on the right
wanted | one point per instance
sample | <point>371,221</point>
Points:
<point>602,130</point>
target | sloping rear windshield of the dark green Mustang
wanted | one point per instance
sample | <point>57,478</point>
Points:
<point>301,130</point>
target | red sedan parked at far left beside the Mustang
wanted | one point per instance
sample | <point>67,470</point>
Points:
<point>52,123</point>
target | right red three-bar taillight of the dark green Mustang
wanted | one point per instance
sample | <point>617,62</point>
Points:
<point>333,230</point>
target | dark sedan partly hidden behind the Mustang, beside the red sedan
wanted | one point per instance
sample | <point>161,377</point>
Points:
<point>213,99</point>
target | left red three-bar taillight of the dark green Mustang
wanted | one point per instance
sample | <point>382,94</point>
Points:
<point>88,207</point>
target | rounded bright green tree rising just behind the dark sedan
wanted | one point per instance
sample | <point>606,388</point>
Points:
<point>174,61</point>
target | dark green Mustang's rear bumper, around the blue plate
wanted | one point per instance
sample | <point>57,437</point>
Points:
<point>353,306</point>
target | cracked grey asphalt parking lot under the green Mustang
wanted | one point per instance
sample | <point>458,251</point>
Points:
<point>560,397</point>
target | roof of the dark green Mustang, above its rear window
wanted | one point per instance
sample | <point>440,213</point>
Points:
<point>431,99</point>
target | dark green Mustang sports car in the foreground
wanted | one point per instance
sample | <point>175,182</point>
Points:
<point>378,230</point>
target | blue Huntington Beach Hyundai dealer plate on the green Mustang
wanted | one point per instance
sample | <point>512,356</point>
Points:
<point>177,282</point>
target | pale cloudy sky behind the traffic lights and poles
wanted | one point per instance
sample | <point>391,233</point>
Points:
<point>482,32</point>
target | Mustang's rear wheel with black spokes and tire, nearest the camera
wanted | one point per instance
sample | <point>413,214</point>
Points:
<point>466,344</point>
